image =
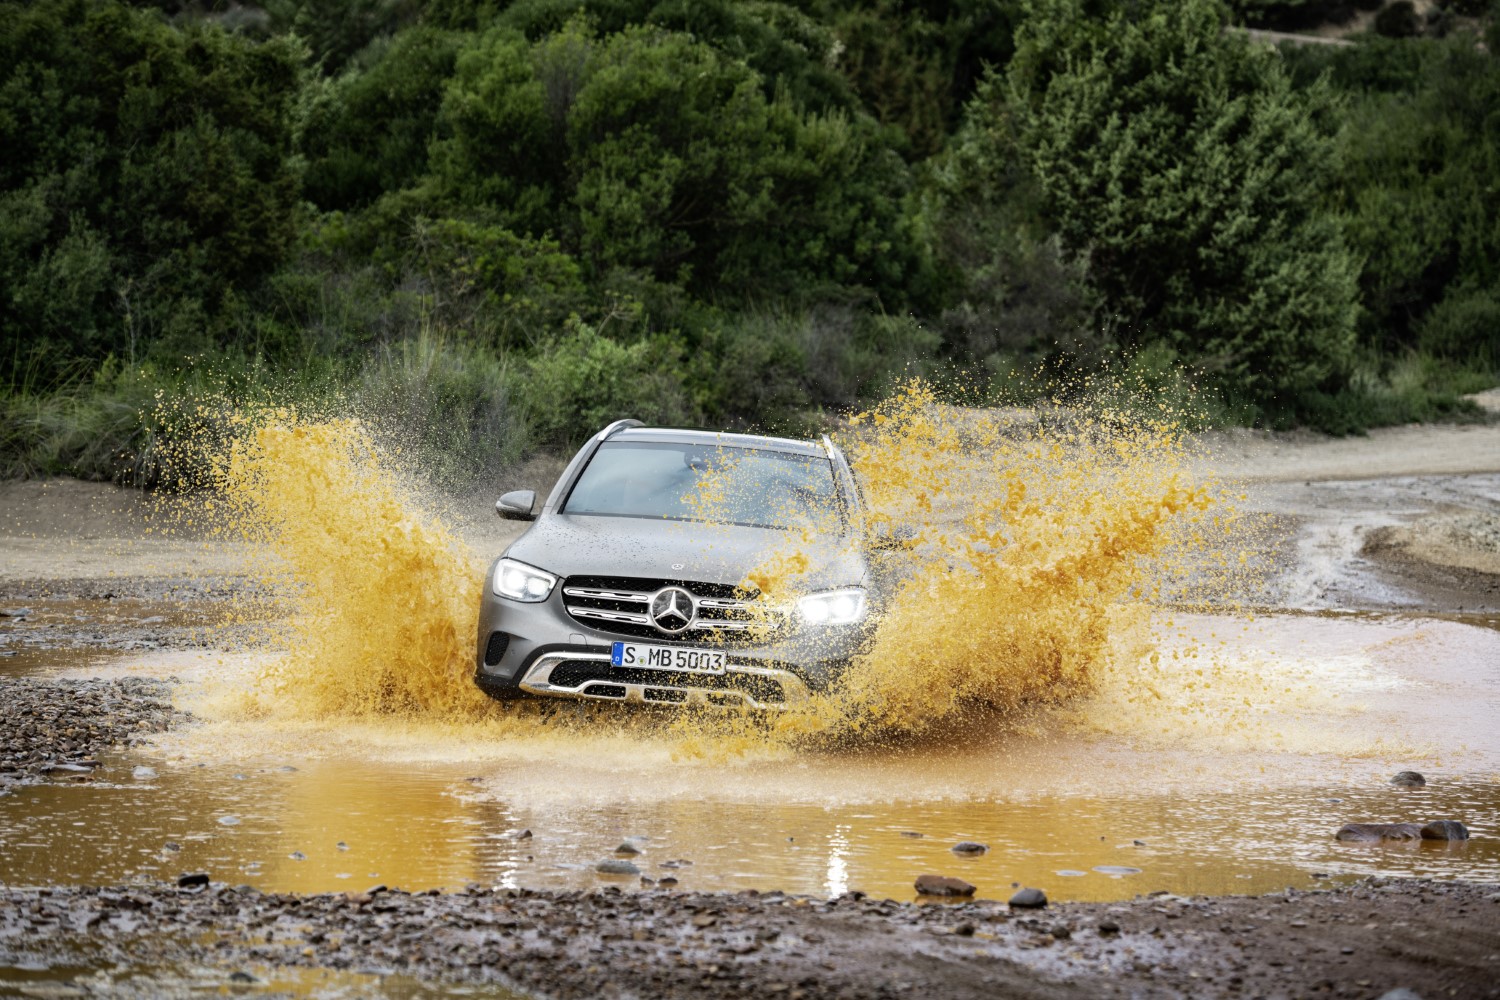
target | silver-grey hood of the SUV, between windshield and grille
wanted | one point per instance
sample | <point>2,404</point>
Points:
<point>572,545</point>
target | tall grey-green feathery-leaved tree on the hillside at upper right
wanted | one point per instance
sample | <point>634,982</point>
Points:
<point>1190,172</point>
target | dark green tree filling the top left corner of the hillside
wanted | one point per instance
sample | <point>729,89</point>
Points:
<point>145,176</point>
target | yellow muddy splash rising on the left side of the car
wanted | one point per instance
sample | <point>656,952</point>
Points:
<point>385,594</point>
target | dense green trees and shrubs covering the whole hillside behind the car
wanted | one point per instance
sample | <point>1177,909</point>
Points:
<point>496,226</point>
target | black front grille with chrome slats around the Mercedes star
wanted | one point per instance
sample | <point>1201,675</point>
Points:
<point>727,615</point>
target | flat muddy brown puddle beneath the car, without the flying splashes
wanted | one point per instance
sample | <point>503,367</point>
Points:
<point>1231,779</point>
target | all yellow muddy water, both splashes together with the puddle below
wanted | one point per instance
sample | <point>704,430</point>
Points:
<point>1064,677</point>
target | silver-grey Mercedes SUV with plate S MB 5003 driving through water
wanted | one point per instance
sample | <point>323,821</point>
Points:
<point>628,590</point>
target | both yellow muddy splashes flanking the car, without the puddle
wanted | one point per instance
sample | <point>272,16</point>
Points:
<point>1033,552</point>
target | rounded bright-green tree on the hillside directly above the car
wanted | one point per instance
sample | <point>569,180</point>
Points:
<point>653,152</point>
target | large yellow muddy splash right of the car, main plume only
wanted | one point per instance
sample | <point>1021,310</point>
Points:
<point>1034,552</point>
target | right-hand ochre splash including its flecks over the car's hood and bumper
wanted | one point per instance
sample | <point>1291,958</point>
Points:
<point>1033,552</point>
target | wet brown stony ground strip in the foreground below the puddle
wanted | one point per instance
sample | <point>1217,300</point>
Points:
<point>1363,941</point>
